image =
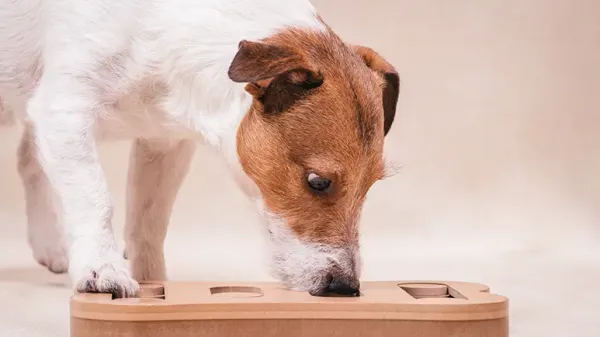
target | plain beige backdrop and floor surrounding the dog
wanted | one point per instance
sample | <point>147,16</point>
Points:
<point>497,132</point>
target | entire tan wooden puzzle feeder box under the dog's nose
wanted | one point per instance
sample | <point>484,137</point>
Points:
<point>415,308</point>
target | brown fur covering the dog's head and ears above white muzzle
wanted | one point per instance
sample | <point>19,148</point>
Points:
<point>323,113</point>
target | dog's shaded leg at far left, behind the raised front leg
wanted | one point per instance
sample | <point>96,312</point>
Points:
<point>45,235</point>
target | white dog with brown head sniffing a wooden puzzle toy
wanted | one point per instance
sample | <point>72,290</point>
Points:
<point>299,116</point>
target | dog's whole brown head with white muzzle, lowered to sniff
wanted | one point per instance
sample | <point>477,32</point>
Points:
<point>312,142</point>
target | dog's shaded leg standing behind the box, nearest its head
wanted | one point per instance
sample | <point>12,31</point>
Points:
<point>157,169</point>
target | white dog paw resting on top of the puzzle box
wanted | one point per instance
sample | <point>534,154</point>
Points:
<point>106,276</point>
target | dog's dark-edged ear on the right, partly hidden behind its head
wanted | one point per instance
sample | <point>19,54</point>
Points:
<point>391,87</point>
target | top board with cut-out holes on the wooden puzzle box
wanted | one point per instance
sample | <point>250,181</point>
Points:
<point>408,300</point>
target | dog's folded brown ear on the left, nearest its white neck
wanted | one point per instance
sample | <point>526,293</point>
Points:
<point>277,76</point>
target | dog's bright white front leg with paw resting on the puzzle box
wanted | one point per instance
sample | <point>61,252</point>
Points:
<point>62,112</point>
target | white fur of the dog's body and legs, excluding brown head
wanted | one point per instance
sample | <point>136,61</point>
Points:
<point>83,71</point>
